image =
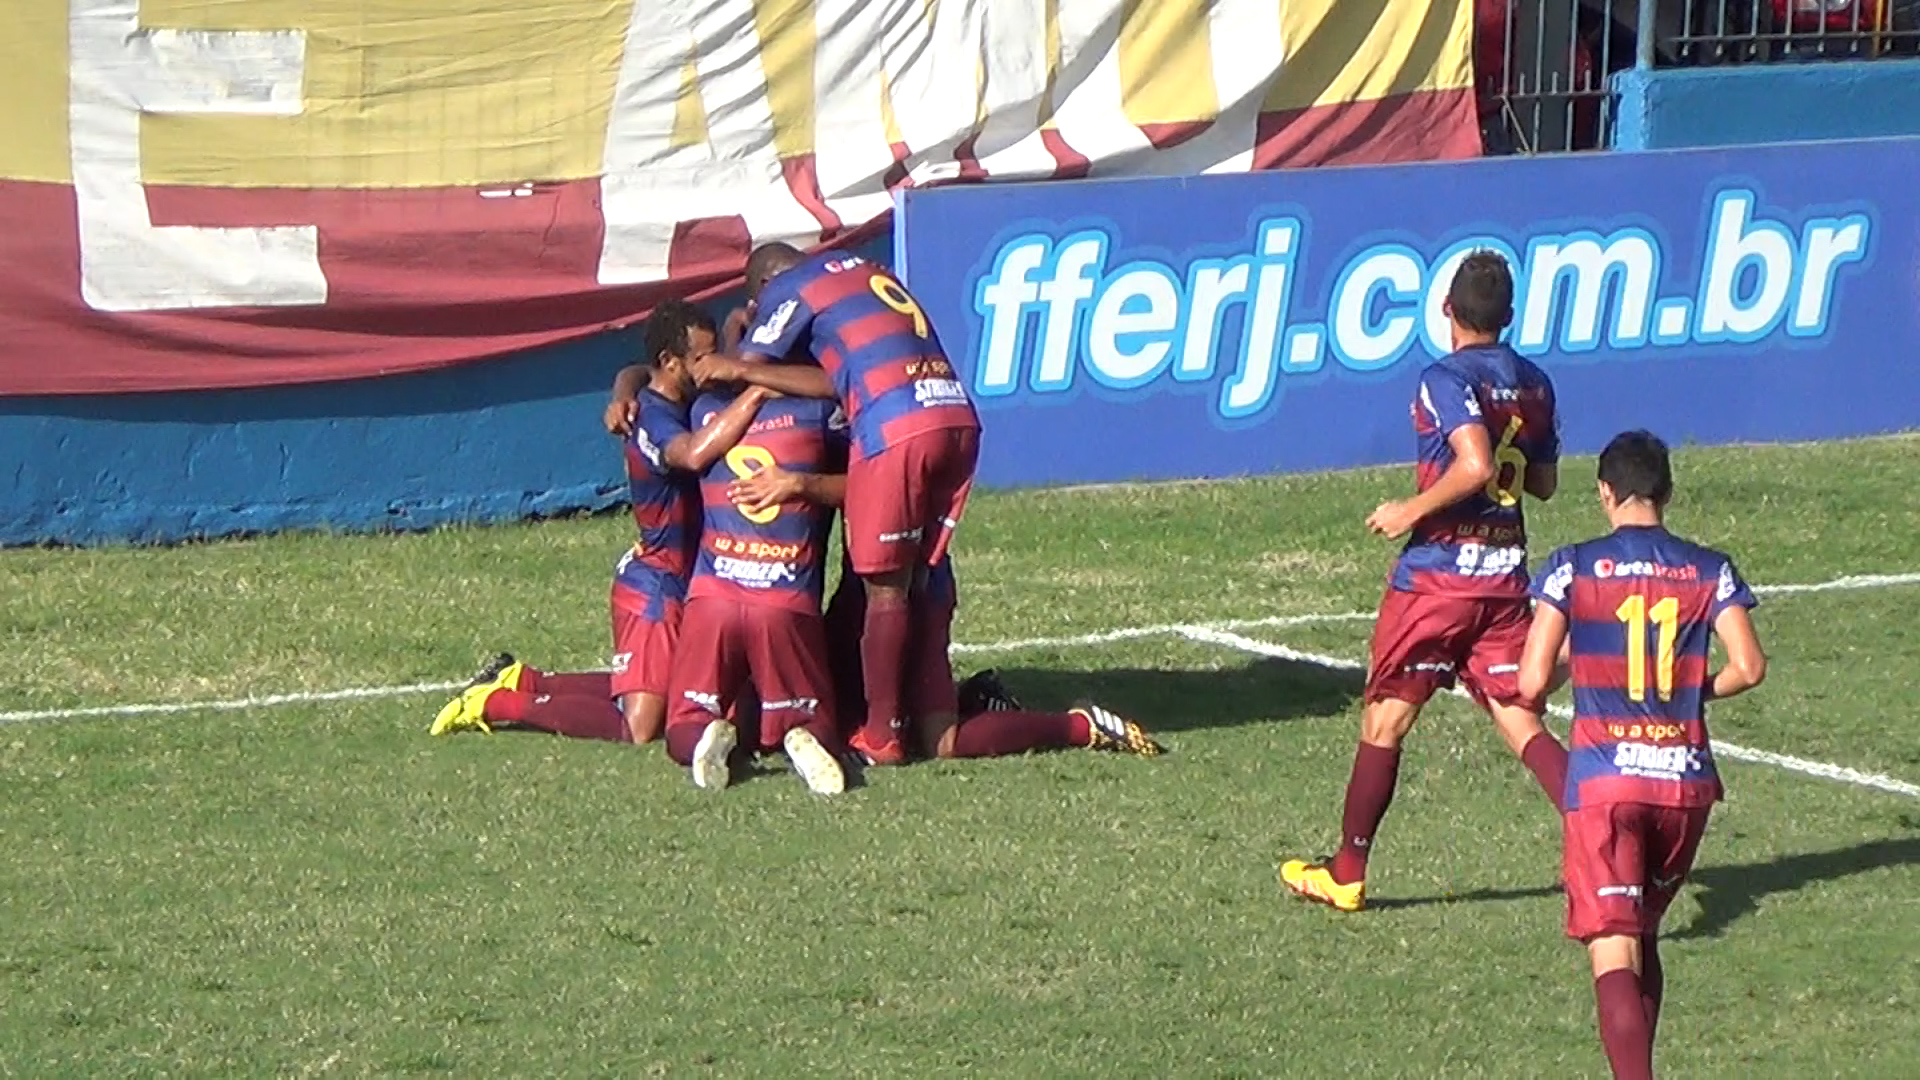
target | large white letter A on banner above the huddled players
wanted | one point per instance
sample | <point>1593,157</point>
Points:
<point>650,185</point>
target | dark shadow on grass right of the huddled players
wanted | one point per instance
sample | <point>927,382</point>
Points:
<point>1191,700</point>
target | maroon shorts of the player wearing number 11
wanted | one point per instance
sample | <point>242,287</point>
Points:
<point>1623,866</point>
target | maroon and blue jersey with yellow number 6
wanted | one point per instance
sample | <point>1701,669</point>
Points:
<point>1479,545</point>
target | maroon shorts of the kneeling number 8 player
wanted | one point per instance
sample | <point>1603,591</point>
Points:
<point>729,650</point>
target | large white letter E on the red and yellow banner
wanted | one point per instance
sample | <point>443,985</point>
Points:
<point>116,72</point>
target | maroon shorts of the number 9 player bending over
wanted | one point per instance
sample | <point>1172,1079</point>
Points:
<point>905,503</point>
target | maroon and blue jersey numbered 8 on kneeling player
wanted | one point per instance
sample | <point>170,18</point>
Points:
<point>775,556</point>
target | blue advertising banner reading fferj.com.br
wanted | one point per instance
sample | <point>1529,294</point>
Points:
<point>1278,322</point>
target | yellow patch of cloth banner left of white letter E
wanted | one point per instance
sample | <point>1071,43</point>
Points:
<point>34,91</point>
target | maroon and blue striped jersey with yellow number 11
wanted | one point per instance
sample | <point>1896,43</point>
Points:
<point>1641,606</point>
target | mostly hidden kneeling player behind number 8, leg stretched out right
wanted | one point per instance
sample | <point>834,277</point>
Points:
<point>976,718</point>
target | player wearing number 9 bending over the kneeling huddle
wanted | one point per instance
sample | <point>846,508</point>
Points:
<point>853,333</point>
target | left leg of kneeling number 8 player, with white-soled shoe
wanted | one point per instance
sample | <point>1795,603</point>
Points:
<point>706,675</point>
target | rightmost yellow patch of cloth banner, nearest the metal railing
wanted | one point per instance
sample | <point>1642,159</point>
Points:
<point>1360,51</point>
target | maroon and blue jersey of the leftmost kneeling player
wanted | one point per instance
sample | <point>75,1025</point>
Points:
<point>665,504</point>
